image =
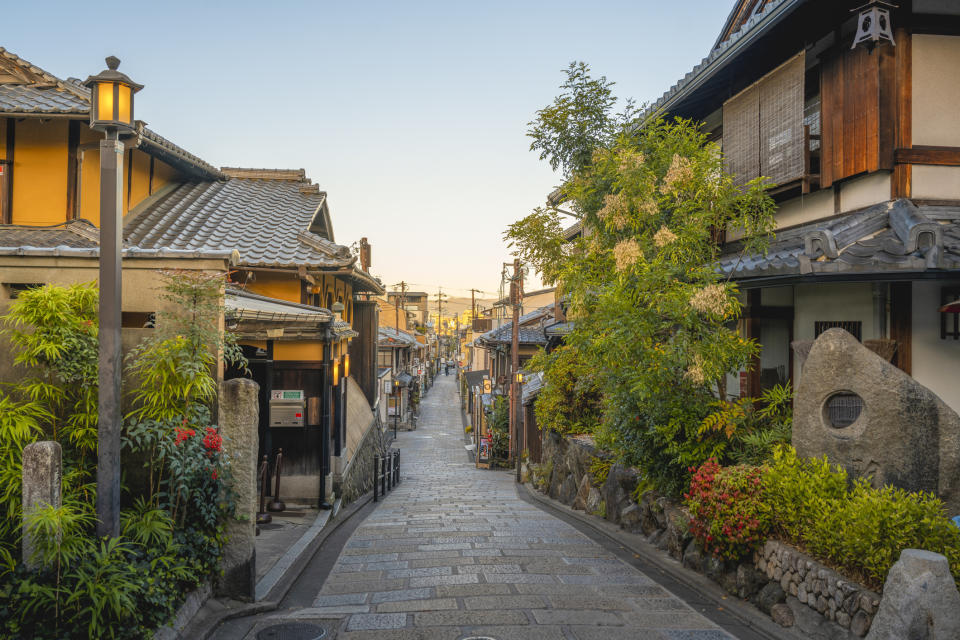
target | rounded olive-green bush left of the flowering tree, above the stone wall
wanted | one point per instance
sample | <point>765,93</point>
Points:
<point>569,401</point>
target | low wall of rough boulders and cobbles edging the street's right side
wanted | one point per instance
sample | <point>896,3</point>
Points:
<point>794,589</point>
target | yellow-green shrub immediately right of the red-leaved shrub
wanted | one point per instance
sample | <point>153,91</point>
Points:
<point>801,491</point>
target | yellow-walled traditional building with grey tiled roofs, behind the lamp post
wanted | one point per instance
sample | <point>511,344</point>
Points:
<point>293,289</point>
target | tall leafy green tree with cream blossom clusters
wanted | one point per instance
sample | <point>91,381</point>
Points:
<point>654,322</point>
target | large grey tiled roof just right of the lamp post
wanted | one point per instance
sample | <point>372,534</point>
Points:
<point>266,221</point>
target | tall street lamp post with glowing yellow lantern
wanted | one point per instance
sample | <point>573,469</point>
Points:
<point>111,112</point>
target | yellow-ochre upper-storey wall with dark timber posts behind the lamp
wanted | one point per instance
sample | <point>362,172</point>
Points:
<point>40,173</point>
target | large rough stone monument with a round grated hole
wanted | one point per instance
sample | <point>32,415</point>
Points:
<point>869,416</point>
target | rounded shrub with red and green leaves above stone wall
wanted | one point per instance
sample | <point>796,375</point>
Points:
<point>728,516</point>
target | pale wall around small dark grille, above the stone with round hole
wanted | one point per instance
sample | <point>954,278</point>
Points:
<point>831,301</point>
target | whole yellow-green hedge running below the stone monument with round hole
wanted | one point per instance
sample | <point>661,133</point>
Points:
<point>862,529</point>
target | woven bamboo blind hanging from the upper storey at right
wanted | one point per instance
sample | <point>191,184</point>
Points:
<point>763,126</point>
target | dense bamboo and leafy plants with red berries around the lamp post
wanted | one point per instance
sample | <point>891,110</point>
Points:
<point>172,535</point>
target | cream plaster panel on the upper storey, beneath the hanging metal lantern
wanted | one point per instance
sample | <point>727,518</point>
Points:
<point>936,90</point>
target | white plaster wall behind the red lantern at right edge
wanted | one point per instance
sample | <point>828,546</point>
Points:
<point>936,362</point>
